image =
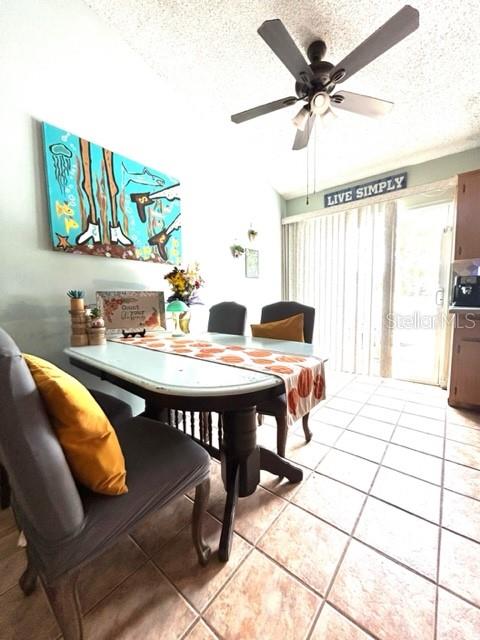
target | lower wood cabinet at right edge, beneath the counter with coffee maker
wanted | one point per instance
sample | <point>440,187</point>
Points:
<point>465,369</point>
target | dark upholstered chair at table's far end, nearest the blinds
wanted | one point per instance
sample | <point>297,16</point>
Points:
<point>278,407</point>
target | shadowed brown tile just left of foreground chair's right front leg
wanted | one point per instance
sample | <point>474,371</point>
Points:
<point>160,527</point>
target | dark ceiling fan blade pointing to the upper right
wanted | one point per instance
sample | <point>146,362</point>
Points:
<point>398,27</point>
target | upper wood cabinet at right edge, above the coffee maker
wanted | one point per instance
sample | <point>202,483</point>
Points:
<point>467,231</point>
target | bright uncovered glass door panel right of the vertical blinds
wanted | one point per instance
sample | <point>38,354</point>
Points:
<point>420,291</point>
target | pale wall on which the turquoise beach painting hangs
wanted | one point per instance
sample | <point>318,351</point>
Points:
<point>60,63</point>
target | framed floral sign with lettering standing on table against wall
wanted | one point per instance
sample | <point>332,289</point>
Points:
<point>132,310</point>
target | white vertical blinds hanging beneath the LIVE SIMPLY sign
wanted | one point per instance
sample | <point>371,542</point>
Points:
<point>337,264</point>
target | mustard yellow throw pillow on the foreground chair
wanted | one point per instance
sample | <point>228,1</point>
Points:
<point>87,438</point>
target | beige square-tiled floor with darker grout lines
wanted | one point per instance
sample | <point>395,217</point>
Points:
<point>380,540</point>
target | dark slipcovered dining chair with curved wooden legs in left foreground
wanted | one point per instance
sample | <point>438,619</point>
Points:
<point>66,525</point>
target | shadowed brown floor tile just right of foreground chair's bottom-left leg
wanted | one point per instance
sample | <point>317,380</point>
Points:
<point>102,575</point>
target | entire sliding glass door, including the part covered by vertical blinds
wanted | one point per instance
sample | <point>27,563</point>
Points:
<point>374,274</point>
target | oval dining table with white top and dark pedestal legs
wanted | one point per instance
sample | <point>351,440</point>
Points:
<point>176,387</point>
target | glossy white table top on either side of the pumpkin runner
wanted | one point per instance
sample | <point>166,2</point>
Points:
<point>173,374</point>
